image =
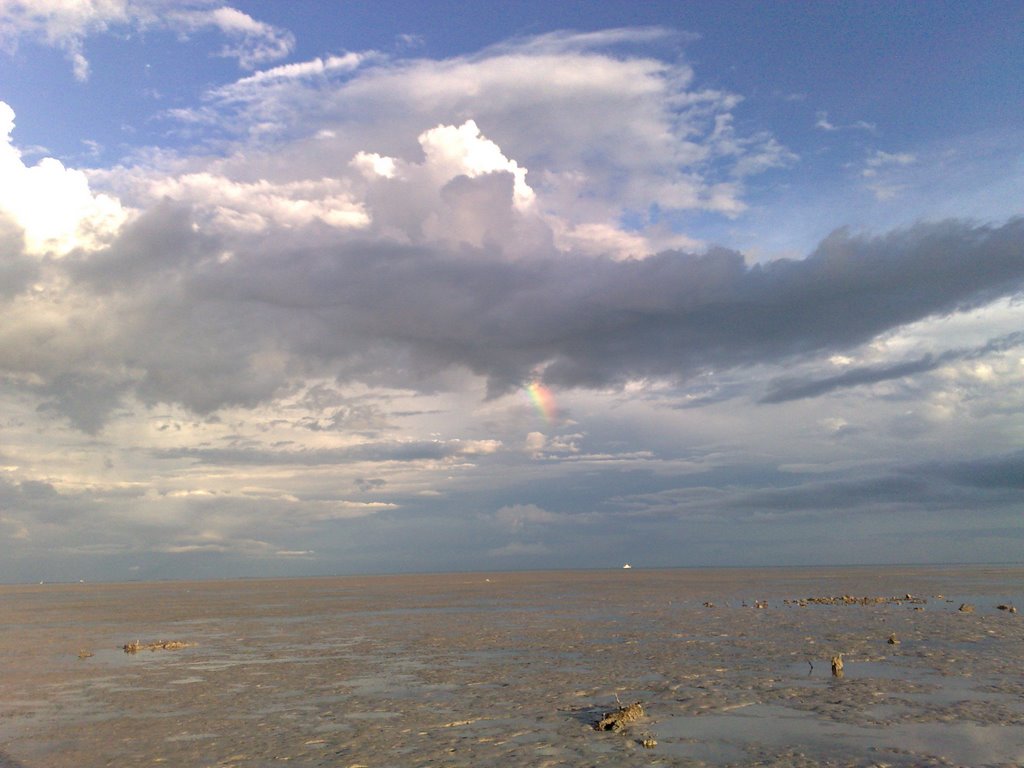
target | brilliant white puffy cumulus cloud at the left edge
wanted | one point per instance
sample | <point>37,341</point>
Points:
<point>53,204</point>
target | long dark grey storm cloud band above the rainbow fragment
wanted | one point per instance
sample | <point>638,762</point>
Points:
<point>199,329</point>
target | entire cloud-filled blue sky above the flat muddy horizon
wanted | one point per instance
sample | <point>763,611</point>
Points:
<point>315,288</point>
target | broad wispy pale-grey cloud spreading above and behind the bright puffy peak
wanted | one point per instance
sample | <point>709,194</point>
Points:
<point>602,129</point>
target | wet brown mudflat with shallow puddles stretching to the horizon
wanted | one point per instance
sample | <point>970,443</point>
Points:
<point>515,670</point>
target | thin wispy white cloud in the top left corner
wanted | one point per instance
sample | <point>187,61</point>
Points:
<point>67,24</point>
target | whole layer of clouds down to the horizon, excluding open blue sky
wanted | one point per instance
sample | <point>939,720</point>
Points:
<point>311,334</point>
